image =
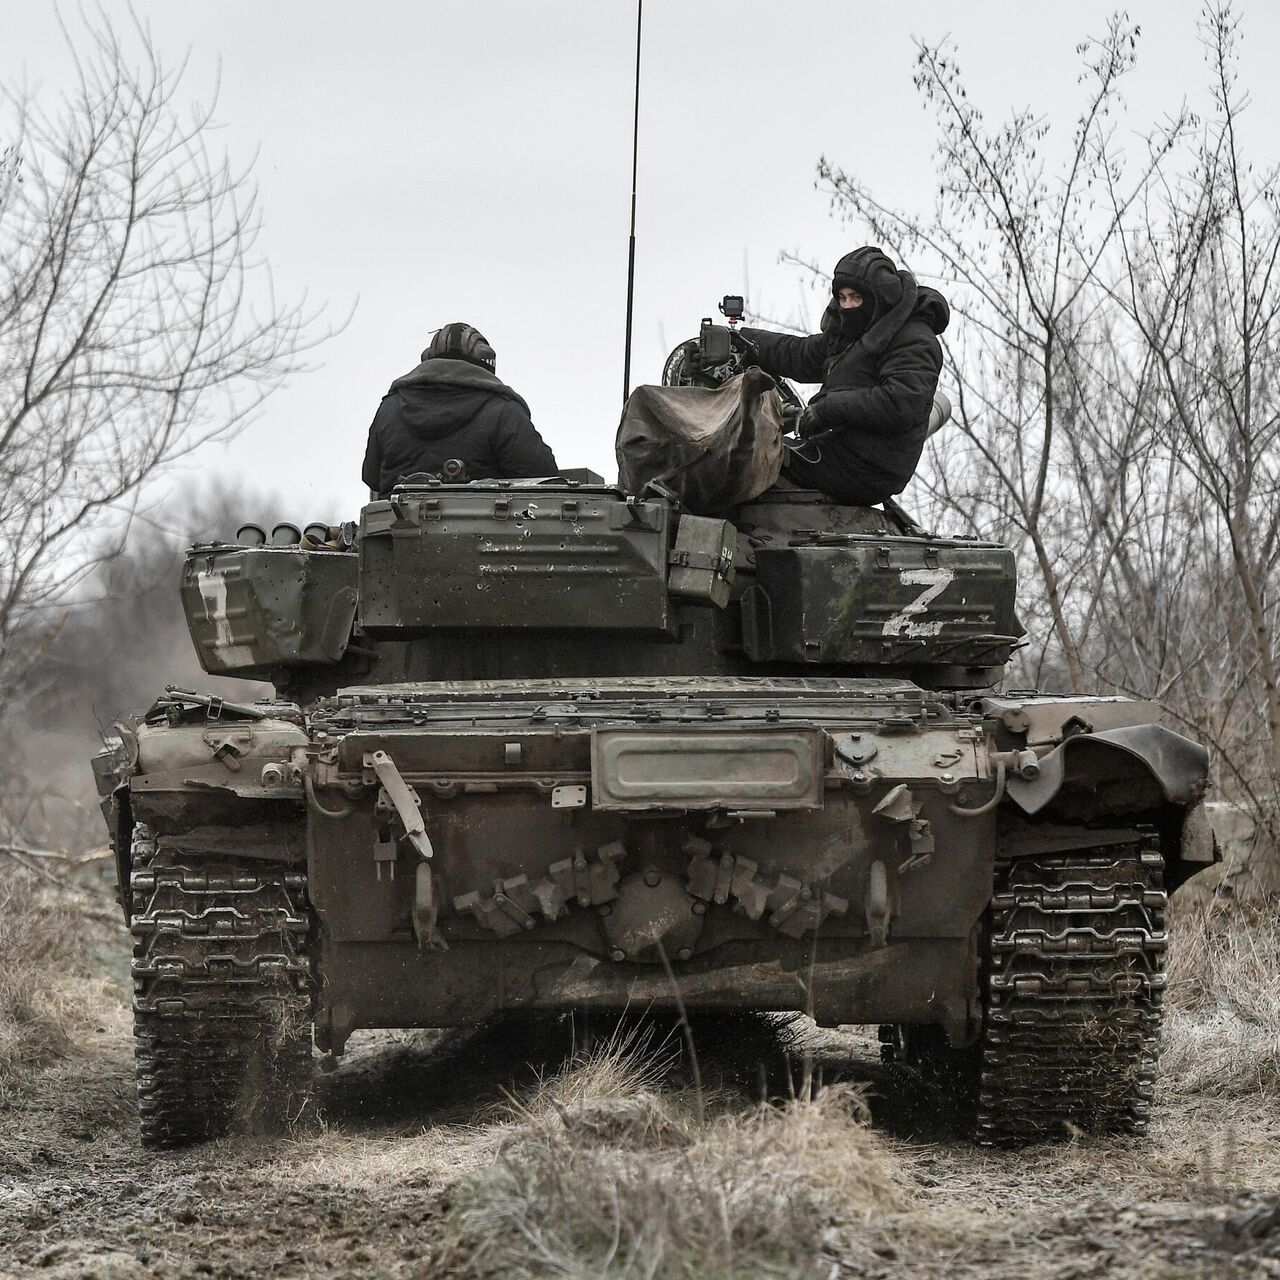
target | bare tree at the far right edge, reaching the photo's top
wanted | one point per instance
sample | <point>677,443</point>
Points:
<point>1203,287</point>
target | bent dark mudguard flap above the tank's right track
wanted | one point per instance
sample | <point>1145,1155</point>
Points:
<point>1178,766</point>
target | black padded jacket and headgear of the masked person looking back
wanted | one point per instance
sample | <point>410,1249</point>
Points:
<point>877,390</point>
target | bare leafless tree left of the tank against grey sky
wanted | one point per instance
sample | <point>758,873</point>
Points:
<point>135,321</point>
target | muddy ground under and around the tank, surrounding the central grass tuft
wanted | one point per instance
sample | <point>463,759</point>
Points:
<point>410,1118</point>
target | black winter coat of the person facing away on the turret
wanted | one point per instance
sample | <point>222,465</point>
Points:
<point>451,409</point>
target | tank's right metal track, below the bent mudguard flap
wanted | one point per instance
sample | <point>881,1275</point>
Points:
<point>1073,984</point>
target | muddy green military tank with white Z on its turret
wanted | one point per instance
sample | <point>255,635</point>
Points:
<point>552,746</point>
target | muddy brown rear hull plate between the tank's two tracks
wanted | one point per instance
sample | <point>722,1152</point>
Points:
<point>766,840</point>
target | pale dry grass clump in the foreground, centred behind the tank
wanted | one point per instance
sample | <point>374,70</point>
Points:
<point>605,1173</point>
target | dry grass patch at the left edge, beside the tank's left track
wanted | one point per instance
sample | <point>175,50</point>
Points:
<point>49,996</point>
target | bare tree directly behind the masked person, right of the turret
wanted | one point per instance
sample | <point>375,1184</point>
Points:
<point>1017,239</point>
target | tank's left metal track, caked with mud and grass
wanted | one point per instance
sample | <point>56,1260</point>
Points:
<point>223,999</point>
